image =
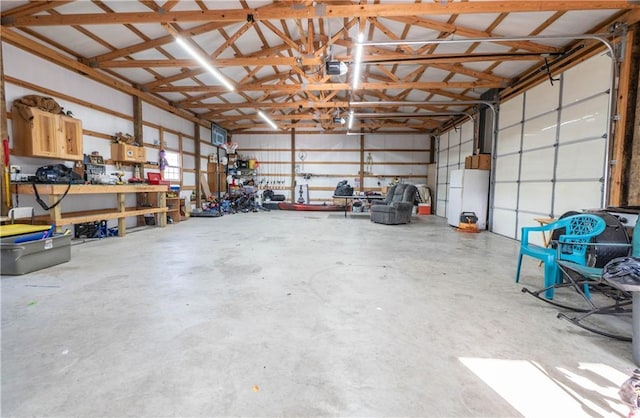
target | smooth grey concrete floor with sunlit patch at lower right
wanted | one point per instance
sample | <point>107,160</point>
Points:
<point>298,314</point>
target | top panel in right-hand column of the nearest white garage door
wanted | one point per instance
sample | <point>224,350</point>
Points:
<point>586,78</point>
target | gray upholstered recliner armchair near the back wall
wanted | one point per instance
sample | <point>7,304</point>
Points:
<point>397,207</point>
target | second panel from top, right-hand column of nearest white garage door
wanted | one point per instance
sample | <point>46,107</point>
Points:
<point>586,119</point>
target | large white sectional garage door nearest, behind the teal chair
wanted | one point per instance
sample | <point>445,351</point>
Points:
<point>550,151</point>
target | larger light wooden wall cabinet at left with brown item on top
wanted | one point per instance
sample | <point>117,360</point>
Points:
<point>47,135</point>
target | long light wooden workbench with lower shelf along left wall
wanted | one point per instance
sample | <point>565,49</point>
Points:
<point>56,191</point>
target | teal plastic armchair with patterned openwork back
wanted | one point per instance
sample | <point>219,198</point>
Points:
<point>572,245</point>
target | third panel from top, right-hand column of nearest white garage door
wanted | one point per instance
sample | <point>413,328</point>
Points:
<point>582,160</point>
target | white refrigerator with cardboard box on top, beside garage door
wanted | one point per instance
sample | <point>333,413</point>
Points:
<point>468,192</point>
